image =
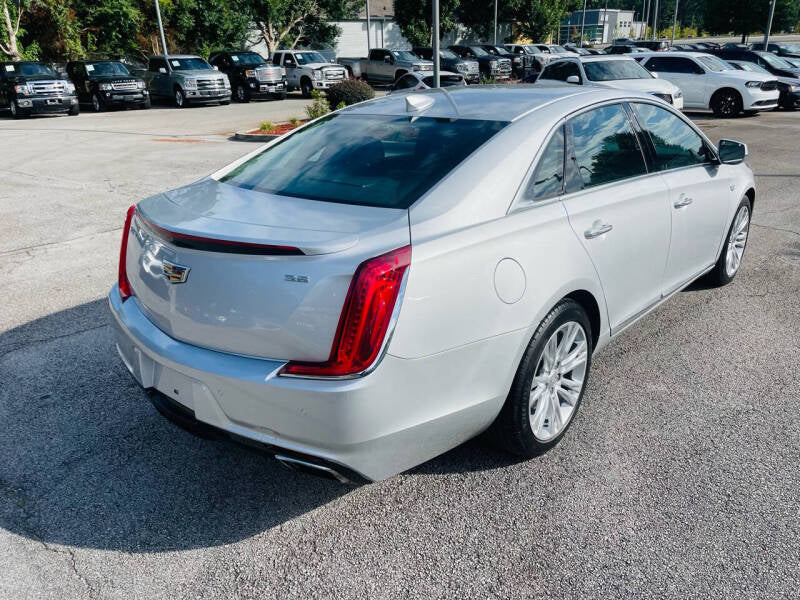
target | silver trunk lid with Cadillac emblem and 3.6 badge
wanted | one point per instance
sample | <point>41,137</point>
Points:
<point>241,294</point>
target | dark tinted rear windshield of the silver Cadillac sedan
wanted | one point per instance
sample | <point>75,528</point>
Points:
<point>369,160</point>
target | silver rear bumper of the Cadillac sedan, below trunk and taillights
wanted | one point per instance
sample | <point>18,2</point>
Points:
<point>401,414</point>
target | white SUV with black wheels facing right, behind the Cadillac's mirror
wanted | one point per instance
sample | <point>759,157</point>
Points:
<point>708,83</point>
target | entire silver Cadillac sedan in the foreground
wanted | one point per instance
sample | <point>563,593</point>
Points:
<point>399,276</point>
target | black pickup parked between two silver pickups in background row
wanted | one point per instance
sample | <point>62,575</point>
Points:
<point>250,75</point>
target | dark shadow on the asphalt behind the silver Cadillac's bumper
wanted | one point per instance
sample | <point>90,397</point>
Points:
<point>86,461</point>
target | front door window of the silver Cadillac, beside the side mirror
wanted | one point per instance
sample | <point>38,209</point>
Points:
<point>676,144</point>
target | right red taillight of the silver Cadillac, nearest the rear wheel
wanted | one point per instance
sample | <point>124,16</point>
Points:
<point>365,318</point>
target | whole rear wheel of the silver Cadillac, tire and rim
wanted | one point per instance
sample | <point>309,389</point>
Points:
<point>549,383</point>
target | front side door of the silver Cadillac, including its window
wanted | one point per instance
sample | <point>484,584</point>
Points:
<point>699,193</point>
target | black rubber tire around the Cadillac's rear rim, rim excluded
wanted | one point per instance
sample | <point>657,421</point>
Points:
<point>512,428</point>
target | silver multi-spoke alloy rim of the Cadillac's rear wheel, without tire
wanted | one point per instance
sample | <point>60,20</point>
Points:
<point>558,381</point>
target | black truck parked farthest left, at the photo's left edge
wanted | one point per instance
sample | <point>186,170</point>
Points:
<point>33,88</point>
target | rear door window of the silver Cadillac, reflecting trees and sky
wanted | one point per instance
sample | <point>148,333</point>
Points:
<point>605,147</point>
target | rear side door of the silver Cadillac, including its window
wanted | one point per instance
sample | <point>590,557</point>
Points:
<point>617,210</point>
